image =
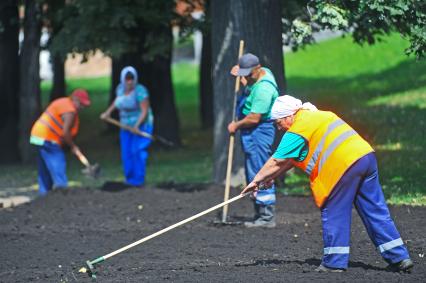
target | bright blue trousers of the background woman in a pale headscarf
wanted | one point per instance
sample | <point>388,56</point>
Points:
<point>134,155</point>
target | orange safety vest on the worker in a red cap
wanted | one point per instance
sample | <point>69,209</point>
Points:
<point>50,124</point>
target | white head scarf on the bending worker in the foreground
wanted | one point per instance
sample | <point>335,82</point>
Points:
<point>287,105</point>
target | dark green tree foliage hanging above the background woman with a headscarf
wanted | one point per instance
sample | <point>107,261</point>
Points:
<point>113,26</point>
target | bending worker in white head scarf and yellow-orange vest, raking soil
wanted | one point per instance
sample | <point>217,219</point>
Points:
<point>343,172</point>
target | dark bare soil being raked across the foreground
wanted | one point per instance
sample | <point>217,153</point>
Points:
<point>49,239</point>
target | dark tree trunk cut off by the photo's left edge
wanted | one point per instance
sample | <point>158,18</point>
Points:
<point>9,81</point>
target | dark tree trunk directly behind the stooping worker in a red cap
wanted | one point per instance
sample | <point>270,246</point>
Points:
<point>29,93</point>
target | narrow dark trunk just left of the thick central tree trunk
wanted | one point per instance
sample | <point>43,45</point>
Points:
<point>206,84</point>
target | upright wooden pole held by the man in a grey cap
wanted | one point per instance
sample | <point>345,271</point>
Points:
<point>231,142</point>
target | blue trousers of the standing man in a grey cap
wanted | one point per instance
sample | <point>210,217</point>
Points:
<point>257,146</point>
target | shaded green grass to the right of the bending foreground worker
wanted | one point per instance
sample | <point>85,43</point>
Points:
<point>398,133</point>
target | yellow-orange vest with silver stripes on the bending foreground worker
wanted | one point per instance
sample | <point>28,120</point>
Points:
<point>333,147</point>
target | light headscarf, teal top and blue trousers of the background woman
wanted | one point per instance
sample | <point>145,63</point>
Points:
<point>133,147</point>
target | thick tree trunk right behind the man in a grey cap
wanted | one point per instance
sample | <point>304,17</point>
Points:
<point>259,25</point>
